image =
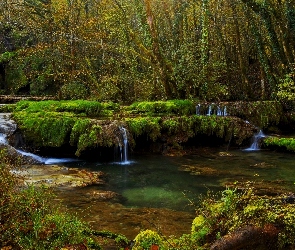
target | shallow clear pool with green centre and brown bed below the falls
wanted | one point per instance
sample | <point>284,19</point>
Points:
<point>159,189</point>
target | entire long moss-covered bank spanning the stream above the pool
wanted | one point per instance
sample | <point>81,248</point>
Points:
<point>89,125</point>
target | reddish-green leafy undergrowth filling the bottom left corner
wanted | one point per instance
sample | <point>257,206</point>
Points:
<point>31,220</point>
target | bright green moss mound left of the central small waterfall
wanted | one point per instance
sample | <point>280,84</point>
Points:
<point>55,123</point>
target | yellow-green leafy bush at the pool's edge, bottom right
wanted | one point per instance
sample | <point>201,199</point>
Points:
<point>219,217</point>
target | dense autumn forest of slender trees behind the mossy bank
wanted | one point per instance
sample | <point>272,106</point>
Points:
<point>132,50</point>
